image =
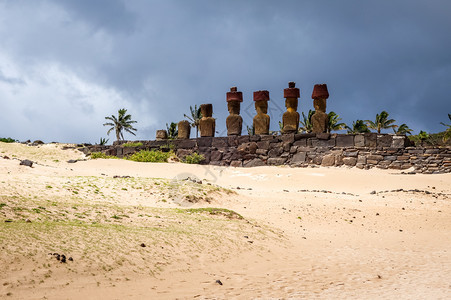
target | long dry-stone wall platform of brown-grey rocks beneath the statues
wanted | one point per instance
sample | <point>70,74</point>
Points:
<point>363,151</point>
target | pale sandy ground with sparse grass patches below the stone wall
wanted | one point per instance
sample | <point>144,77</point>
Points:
<point>171,230</point>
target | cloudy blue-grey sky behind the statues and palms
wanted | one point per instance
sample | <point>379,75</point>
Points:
<point>67,64</point>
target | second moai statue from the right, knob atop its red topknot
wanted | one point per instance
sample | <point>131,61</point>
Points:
<point>290,118</point>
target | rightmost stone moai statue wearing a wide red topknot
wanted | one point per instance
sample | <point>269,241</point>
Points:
<point>320,119</point>
